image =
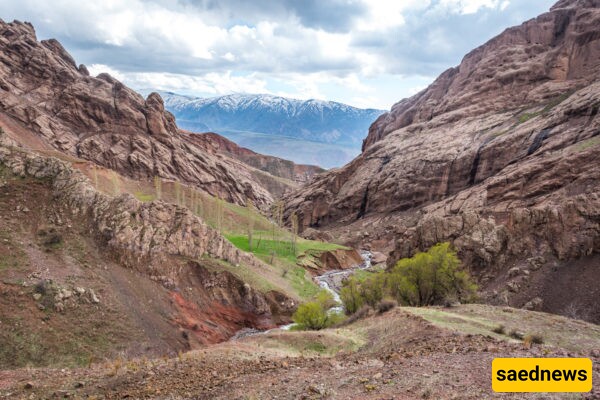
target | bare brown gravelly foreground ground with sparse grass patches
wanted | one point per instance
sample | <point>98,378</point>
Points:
<point>430,353</point>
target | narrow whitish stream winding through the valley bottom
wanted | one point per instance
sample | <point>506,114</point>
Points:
<point>330,281</point>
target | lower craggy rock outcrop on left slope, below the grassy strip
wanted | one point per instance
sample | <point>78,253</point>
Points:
<point>140,235</point>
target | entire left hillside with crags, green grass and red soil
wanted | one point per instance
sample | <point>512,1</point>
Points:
<point>113,241</point>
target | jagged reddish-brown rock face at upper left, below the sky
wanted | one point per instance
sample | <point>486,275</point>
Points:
<point>101,120</point>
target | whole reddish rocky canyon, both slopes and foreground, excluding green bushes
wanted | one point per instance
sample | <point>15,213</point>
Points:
<point>141,260</point>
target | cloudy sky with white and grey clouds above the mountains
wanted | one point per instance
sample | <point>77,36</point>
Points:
<point>360,52</point>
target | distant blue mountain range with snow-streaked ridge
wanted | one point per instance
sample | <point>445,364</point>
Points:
<point>331,132</point>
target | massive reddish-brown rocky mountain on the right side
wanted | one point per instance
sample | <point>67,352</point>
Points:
<point>499,156</point>
